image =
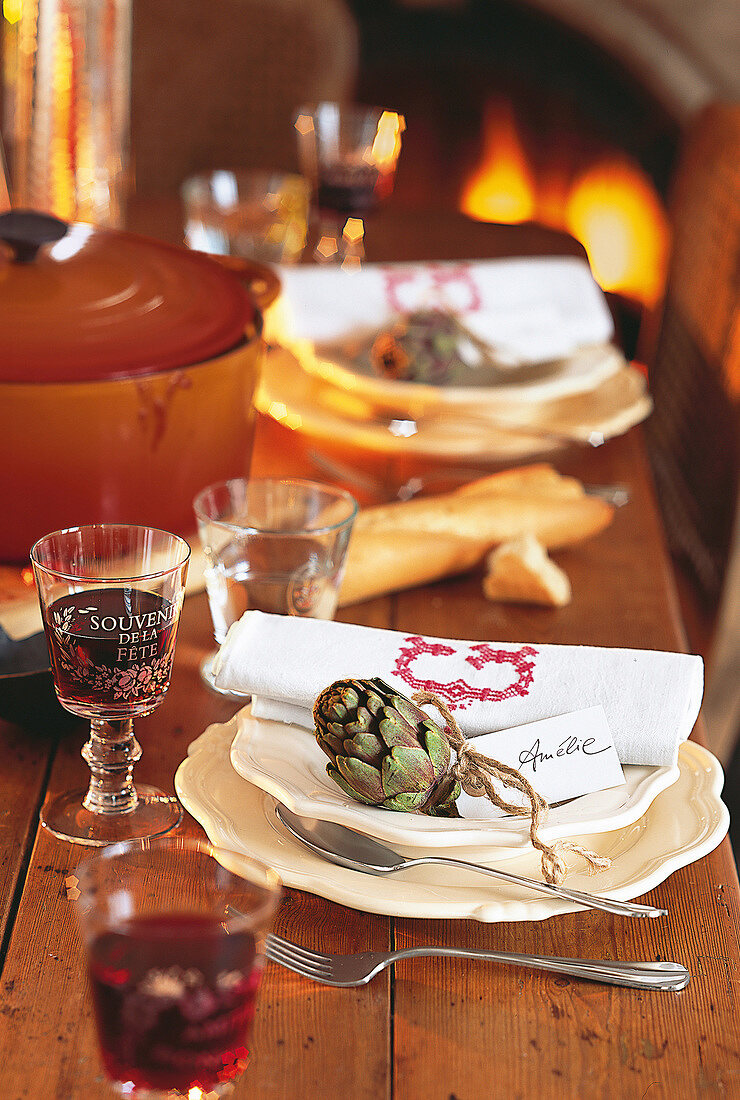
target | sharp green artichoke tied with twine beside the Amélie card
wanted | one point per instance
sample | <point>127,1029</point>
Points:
<point>385,752</point>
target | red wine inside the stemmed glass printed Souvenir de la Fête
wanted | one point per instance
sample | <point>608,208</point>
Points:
<point>112,651</point>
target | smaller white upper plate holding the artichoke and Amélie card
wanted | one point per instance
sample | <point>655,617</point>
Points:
<point>286,763</point>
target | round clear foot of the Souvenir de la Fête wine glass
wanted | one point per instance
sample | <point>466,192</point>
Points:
<point>68,819</point>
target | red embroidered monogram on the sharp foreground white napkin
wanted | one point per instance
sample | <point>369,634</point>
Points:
<point>459,694</point>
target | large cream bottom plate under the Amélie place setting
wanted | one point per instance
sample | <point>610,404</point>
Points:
<point>684,822</point>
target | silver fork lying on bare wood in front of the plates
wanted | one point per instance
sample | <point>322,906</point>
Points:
<point>359,970</point>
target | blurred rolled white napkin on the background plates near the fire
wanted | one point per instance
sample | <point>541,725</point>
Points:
<point>532,310</point>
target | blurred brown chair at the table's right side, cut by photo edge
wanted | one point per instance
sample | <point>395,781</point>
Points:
<point>693,435</point>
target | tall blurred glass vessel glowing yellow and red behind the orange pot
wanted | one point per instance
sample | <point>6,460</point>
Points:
<point>68,91</point>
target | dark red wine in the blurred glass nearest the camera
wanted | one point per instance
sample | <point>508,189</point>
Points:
<point>175,999</point>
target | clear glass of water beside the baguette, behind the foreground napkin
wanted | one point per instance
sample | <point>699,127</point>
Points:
<point>272,545</point>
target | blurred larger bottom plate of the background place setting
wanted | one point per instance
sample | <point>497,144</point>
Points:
<point>332,414</point>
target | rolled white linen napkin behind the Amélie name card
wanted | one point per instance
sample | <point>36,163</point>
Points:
<point>651,699</point>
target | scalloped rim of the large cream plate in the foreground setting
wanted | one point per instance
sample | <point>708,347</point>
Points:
<point>304,871</point>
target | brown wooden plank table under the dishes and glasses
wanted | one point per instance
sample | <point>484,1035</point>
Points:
<point>437,1029</point>
